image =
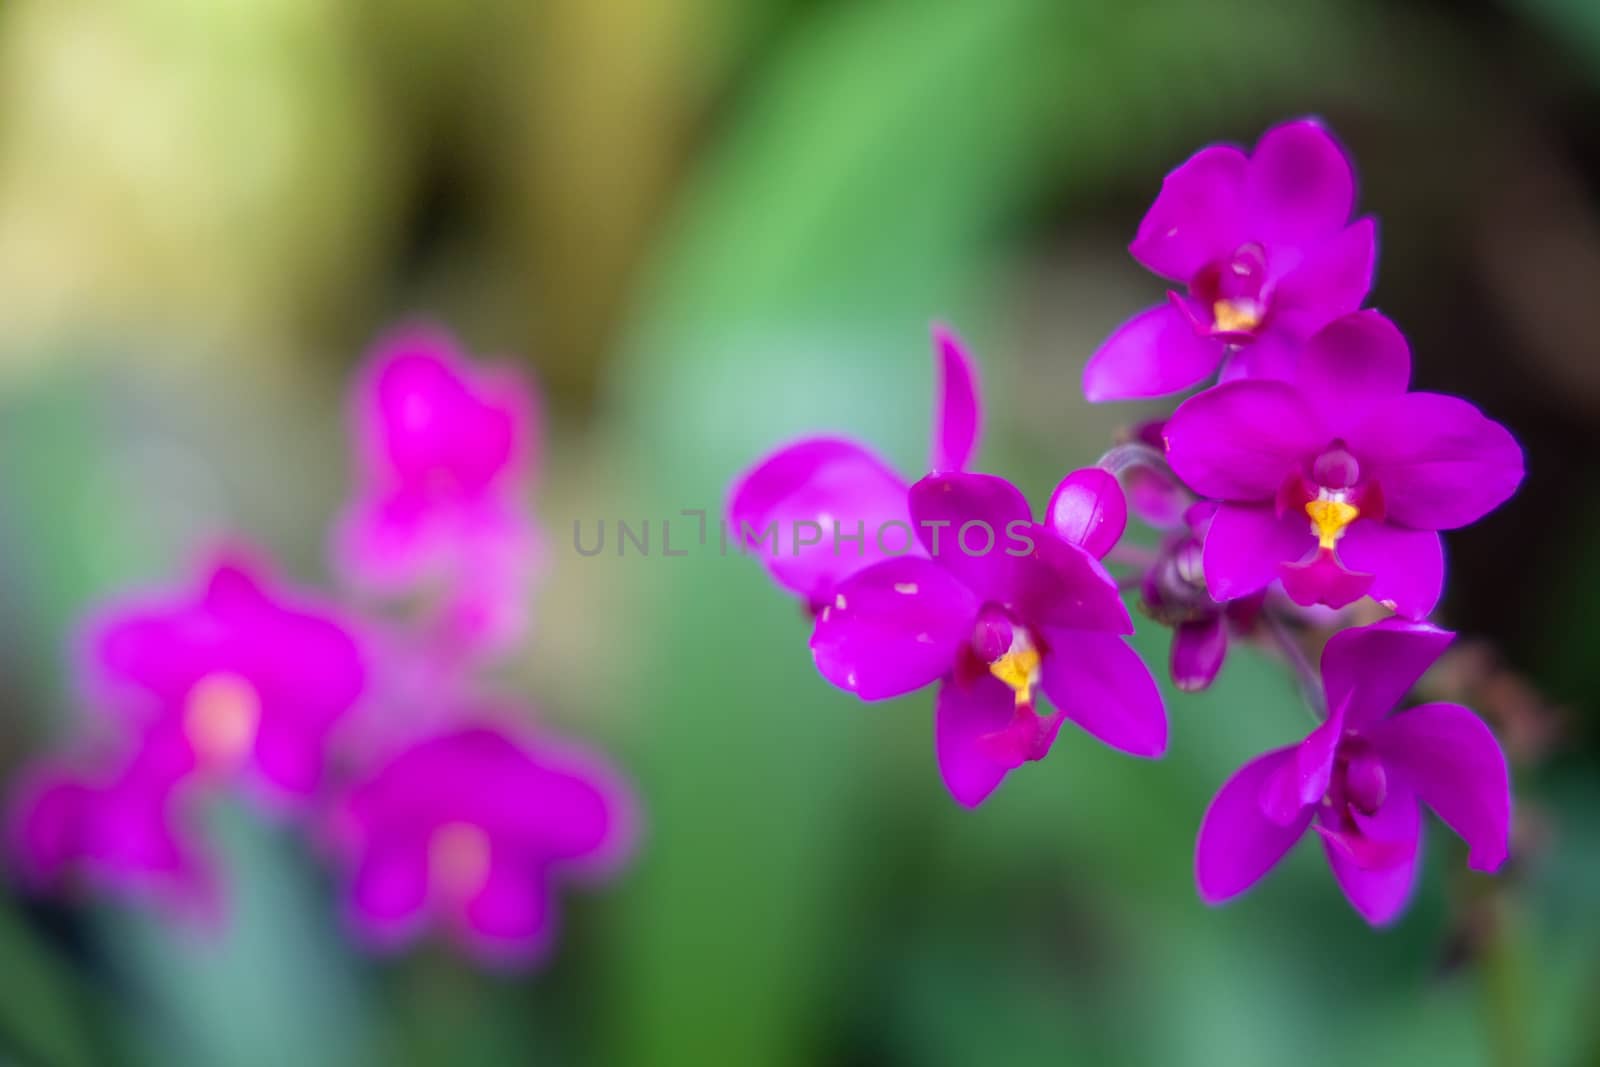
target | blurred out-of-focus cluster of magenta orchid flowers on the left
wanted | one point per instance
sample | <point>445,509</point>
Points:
<point>364,721</point>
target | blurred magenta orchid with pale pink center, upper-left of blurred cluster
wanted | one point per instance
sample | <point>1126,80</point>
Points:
<point>233,679</point>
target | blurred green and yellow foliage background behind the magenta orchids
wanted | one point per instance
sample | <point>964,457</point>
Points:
<point>708,226</point>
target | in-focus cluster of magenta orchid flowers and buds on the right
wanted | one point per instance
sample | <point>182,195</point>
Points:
<point>1308,486</point>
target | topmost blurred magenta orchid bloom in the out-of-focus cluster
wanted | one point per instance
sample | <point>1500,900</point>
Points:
<point>444,457</point>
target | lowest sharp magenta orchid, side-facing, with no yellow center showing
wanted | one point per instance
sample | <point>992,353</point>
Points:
<point>1358,781</point>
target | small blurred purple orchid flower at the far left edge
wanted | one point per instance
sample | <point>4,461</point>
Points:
<point>113,826</point>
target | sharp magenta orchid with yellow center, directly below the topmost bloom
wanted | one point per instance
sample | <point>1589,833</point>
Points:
<point>1340,482</point>
